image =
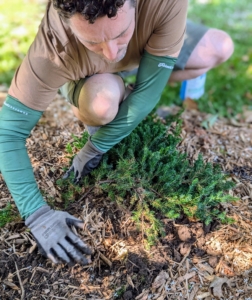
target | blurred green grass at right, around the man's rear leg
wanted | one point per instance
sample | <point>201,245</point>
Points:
<point>228,87</point>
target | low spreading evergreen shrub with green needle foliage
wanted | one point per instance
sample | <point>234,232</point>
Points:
<point>148,175</point>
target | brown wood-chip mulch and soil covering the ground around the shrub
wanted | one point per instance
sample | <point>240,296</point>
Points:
<point>191,262</point>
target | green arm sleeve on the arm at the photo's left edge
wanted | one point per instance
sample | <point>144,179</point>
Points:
<point>16,123</point>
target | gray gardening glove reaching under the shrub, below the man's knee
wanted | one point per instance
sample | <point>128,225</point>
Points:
<point>84,162</point>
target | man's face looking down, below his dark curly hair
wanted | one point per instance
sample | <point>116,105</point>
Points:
<point>107,37</point>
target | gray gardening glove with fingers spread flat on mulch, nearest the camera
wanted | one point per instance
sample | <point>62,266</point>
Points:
<point>55,239</point>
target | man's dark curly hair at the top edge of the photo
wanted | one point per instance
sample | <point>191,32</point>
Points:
<point>90,9</point>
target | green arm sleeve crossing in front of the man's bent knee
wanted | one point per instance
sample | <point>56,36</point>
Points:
<point>153,74</point>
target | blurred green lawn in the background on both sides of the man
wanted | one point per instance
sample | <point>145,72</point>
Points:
<point>228,87</point>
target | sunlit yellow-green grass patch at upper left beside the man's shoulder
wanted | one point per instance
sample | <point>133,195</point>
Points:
<point>19,21</point>
